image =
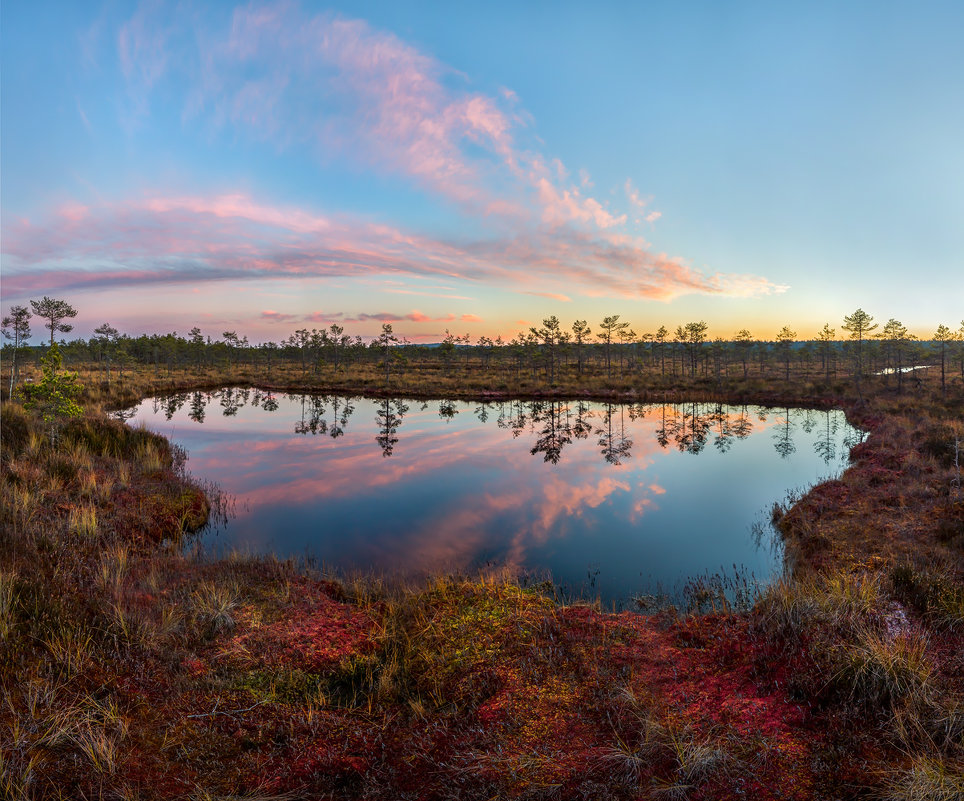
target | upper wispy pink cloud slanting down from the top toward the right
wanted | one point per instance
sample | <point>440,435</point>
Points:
<point>335,85</point>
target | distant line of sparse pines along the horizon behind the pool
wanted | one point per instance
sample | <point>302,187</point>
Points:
<point>610,348</point>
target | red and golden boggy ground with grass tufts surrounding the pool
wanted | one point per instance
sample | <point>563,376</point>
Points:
<point>133,669</point>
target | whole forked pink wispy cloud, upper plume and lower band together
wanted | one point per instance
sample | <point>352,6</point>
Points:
<point>337,86</point>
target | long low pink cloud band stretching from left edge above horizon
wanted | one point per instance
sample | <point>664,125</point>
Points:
<point>231,237</point>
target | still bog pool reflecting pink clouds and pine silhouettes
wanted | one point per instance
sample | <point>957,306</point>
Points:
<point>611,499</point>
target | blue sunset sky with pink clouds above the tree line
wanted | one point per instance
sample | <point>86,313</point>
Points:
<point>477,167</point>
